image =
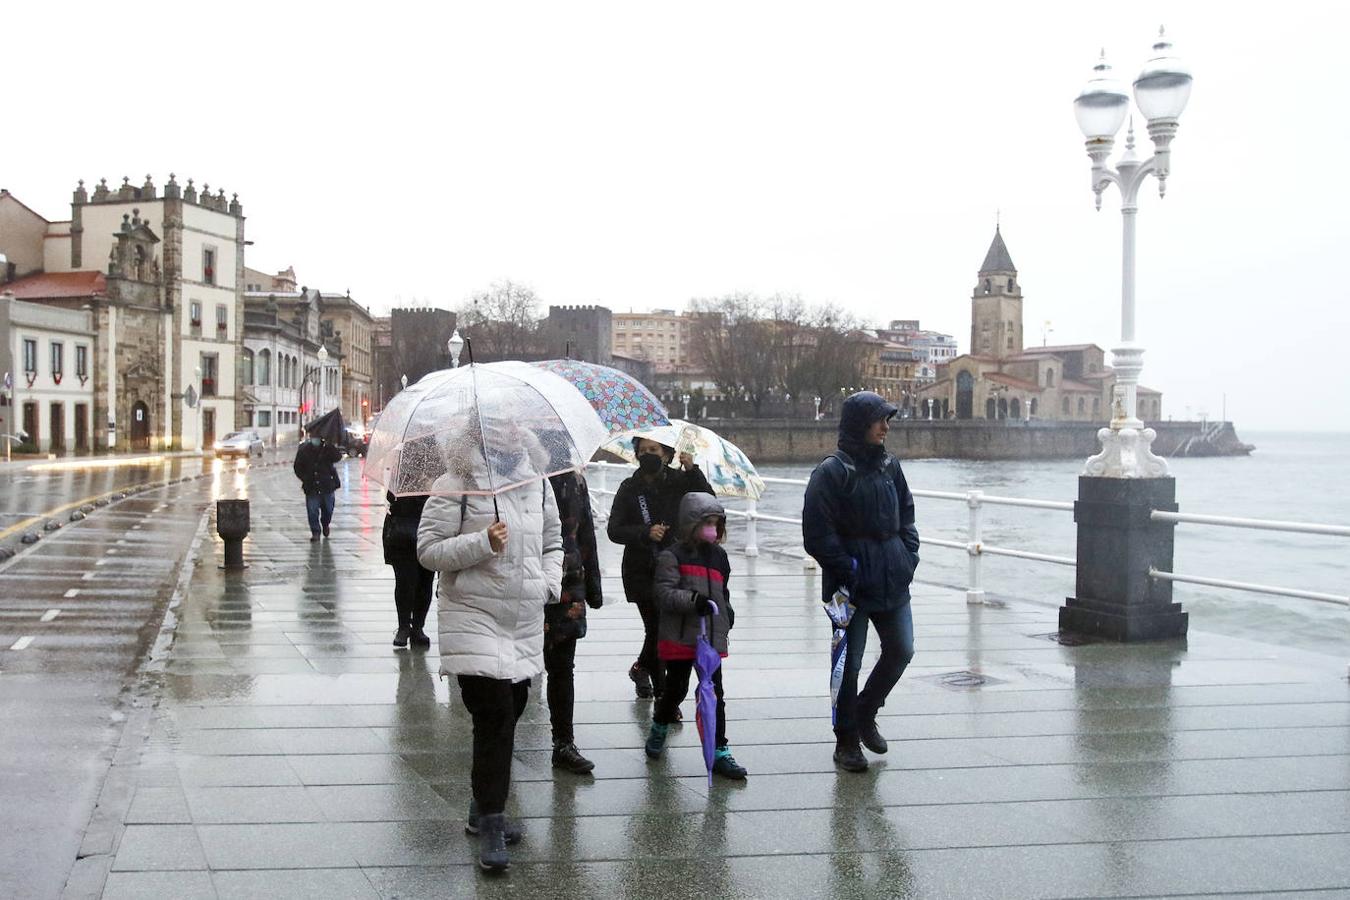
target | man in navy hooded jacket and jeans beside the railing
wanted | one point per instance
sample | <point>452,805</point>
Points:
<point>858,523</point>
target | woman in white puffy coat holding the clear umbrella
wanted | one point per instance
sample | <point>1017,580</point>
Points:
<point>496,578</point>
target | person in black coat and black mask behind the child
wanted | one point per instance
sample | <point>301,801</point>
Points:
<point>643,520</point>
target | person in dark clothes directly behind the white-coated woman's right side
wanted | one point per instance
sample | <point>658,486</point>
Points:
<point>565,621</point>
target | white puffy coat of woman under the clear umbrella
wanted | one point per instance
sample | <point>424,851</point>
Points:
<point>491,607</point>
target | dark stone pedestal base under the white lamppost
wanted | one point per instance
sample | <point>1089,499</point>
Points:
<point>1118,544</point>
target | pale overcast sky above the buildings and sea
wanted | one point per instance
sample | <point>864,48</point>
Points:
<point>638,156</point>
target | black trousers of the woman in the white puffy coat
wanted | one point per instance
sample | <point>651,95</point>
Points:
<point>496,705</point>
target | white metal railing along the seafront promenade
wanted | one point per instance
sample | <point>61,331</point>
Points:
<point>977,550</point>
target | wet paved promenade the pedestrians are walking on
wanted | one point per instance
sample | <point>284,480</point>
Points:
<point>287,750</point>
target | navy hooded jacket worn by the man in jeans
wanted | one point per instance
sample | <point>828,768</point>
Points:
<point>859,526</point>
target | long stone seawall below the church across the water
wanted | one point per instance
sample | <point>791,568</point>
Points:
<point>807,442</point>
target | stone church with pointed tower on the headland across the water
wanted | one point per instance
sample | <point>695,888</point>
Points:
<point>1001,378</point>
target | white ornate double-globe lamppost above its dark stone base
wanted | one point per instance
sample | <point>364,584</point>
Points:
<point>1160,92</point>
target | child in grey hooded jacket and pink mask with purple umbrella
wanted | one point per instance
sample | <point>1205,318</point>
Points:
<point>692,589</point>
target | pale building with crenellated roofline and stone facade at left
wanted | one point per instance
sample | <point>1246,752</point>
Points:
<point>168,314</point>
